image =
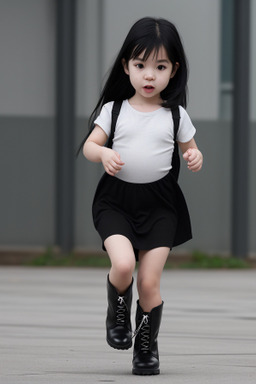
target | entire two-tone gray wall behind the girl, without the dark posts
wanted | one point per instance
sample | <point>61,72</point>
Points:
<point>27,108</point>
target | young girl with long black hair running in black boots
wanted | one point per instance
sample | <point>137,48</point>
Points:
<point>138,209</point>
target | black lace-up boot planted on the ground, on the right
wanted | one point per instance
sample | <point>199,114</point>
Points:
<point>145,354</point>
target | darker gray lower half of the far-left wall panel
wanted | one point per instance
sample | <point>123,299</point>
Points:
<point>27,203</point>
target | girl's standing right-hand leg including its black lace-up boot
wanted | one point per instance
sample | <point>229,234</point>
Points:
<point>149,311</point>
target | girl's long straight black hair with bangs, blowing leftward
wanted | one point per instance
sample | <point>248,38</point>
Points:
<point>146,35</point>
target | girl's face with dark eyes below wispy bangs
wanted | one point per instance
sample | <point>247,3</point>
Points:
<point>150,77</point>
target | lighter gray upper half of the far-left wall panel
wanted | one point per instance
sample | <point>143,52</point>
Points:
<point>27,65</point>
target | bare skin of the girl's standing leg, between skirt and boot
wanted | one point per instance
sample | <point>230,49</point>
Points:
<point>151,264</point>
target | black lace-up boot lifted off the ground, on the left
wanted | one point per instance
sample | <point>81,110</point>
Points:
<point>118,322</point>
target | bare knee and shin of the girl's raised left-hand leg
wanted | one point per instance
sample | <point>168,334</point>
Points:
<point>123,261</point>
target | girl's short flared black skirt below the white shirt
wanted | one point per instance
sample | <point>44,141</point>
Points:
<point>150,215</point>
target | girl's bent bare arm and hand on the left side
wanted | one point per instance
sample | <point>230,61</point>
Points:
<point>95,151</point>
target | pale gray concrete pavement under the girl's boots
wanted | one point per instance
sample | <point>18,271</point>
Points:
<point>52,328</point>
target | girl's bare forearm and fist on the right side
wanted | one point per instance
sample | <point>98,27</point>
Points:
<point>192,155</point>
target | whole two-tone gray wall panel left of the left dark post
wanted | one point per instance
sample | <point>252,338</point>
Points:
<point>27,108</point>
